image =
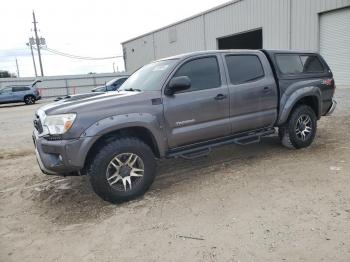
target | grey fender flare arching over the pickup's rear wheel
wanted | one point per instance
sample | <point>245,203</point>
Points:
<point>288,101</point>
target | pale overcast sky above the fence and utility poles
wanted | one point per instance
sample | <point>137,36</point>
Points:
<point>85,28</point>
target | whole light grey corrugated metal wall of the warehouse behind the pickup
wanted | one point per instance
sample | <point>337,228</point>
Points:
<point>286,24</point>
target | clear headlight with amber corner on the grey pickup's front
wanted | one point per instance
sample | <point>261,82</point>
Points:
<point>59,124</point>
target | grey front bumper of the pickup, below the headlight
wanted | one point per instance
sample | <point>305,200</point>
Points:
<point>61,157</point>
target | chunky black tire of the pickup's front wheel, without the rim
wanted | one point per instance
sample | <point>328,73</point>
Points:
<point>99,163</point>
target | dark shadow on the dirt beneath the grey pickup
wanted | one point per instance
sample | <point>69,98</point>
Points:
<point>71,200</point>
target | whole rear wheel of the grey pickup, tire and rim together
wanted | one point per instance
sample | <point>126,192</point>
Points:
<point>300,129</point>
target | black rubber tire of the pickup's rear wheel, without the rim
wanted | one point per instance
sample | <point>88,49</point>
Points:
<point>287,133</point>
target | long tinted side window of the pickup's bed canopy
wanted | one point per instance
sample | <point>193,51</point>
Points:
<point>299,64</point>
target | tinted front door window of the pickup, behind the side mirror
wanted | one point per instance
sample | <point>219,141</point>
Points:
<point>203,72</point>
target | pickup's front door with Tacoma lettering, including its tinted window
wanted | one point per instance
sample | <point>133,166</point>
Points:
<point>201,112</point>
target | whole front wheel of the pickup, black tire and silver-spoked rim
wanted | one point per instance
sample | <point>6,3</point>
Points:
<point>122,170</point>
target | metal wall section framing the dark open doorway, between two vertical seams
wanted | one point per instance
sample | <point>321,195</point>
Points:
<point>270,15</point>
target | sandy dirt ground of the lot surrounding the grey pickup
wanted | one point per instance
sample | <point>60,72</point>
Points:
<point>254,203</point>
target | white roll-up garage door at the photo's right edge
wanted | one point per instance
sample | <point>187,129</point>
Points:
<point>335,43</point>
